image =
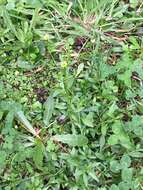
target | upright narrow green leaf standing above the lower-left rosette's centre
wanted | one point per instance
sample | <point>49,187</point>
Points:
<point>49,108</point>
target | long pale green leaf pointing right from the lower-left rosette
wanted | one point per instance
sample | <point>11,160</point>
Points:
<point>71,140</point>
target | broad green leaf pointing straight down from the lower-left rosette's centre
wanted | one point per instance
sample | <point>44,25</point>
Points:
<point>38,154</point>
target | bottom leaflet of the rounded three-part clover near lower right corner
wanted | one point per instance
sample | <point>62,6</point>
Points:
<point>127,174</point>
